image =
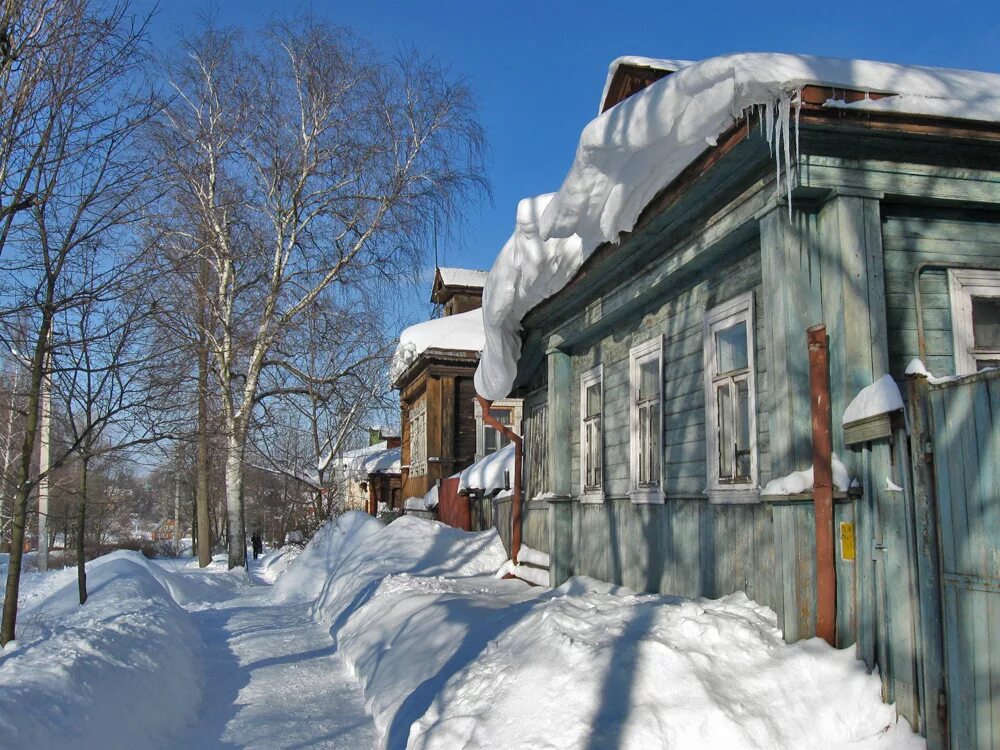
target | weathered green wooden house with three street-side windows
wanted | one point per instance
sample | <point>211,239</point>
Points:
<point>667,382</point>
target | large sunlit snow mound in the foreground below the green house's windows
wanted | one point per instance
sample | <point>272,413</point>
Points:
<point>643,671</point>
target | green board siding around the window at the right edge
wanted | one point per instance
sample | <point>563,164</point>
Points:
<point>916,237</point>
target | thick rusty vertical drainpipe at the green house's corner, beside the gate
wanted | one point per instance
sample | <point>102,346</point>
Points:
<point>819,396</point>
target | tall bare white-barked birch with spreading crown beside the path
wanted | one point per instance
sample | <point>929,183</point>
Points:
<point>311,161</point>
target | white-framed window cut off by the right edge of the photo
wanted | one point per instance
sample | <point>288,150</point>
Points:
<point>975,319</point>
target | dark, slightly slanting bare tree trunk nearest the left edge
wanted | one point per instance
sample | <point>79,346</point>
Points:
<point>8,625</point>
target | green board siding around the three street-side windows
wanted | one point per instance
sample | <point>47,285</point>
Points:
<point>679,320</point>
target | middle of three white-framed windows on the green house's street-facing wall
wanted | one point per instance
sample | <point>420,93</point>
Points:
<point>645,419</point>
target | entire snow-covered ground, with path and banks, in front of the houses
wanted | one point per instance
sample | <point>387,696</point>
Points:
<point>402,636</point>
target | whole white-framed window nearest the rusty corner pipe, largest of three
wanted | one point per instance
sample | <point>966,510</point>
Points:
<point>730,401</point>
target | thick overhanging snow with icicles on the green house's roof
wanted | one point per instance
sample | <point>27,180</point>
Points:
<point>631,152</point>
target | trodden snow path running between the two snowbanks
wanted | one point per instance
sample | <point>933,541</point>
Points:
<point>272,680</point>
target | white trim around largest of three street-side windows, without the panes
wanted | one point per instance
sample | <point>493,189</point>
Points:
<point>738,309</point>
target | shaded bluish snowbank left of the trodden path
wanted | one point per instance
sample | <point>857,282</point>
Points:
<point>121,671</point>
